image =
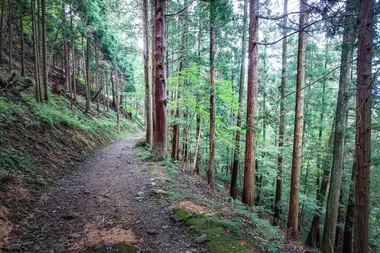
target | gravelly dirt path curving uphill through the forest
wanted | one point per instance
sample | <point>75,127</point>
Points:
<point>107,200</point>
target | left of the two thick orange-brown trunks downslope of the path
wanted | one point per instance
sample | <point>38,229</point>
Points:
<point>250,147</point>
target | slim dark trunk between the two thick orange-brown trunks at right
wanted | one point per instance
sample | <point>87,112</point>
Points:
<point>281,131</point>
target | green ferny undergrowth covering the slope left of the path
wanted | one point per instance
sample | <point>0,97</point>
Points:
<point>57,127</point>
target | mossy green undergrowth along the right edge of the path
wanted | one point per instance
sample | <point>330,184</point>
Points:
<point>233,227</point>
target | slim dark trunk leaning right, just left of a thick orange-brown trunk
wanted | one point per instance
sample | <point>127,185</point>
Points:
<point>236,158</point>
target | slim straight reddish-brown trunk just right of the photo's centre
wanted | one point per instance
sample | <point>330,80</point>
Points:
<point>211,165</point>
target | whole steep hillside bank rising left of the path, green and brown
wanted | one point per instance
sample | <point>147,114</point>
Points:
<point>40,142</point>
